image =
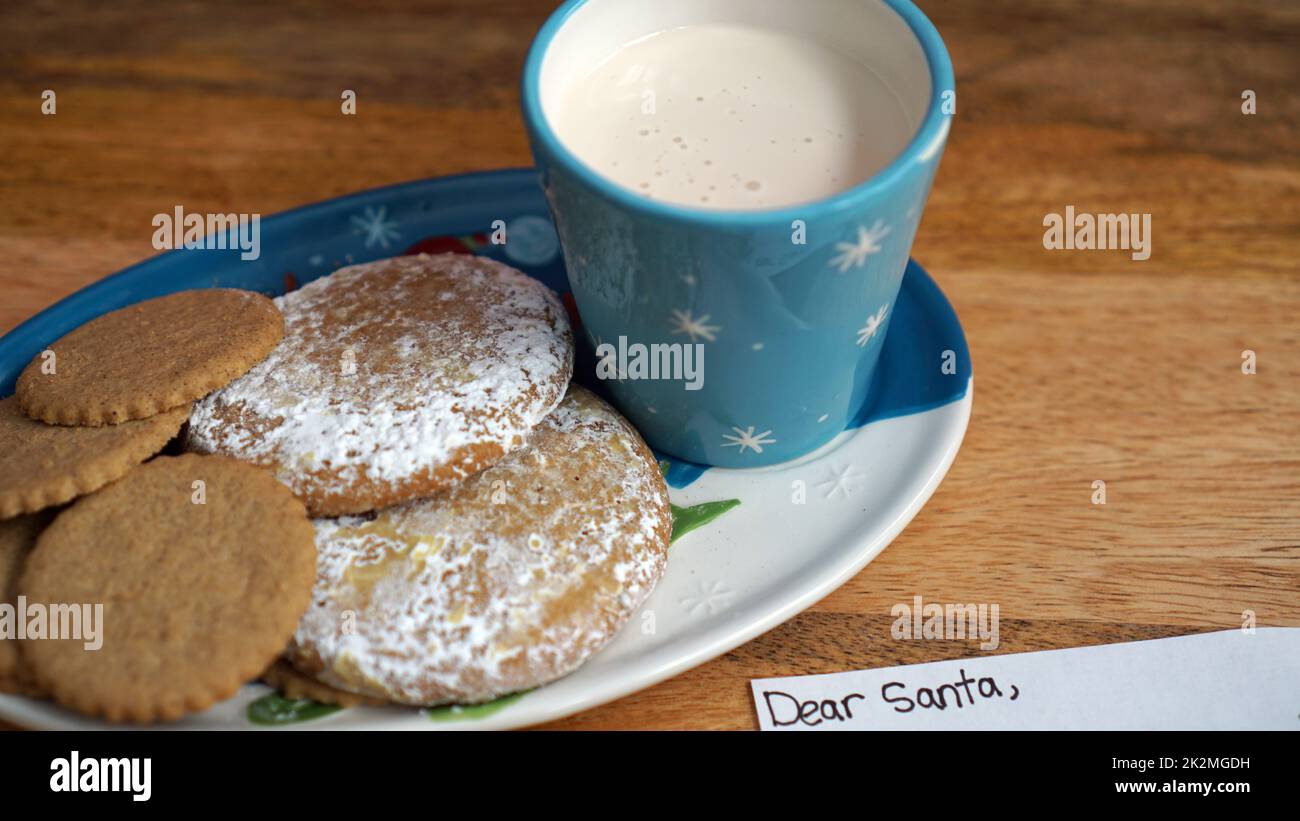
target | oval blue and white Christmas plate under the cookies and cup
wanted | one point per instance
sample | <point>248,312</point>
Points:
<point>799,532</point>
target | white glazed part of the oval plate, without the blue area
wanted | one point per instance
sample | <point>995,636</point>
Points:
<point>727,583</point>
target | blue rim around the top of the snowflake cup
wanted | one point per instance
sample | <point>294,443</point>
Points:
<point>922,147</point>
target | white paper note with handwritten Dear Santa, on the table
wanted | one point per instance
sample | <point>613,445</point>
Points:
<point>1214,681</point>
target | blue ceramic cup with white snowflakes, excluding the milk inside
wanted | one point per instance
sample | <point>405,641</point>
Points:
<point>790,306</point>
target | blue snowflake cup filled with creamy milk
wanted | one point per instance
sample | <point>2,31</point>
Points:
<point>736,185</point>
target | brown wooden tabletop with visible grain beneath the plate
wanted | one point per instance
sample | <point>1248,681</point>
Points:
<point>1090,366</point>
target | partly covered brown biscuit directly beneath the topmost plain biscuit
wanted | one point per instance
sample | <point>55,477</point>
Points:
<point>44,466</point>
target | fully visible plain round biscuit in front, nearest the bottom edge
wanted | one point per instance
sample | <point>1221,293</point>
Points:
<point>203,566</point>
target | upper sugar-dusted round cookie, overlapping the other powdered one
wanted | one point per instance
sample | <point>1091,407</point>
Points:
<point>396,380</point>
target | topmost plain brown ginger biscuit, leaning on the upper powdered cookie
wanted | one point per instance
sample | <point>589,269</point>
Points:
<point>150,358</point>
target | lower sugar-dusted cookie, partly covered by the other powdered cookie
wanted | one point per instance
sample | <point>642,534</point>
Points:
<point>504,583</point>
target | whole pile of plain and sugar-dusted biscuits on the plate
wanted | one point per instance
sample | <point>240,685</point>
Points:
<point>387,492</point>
